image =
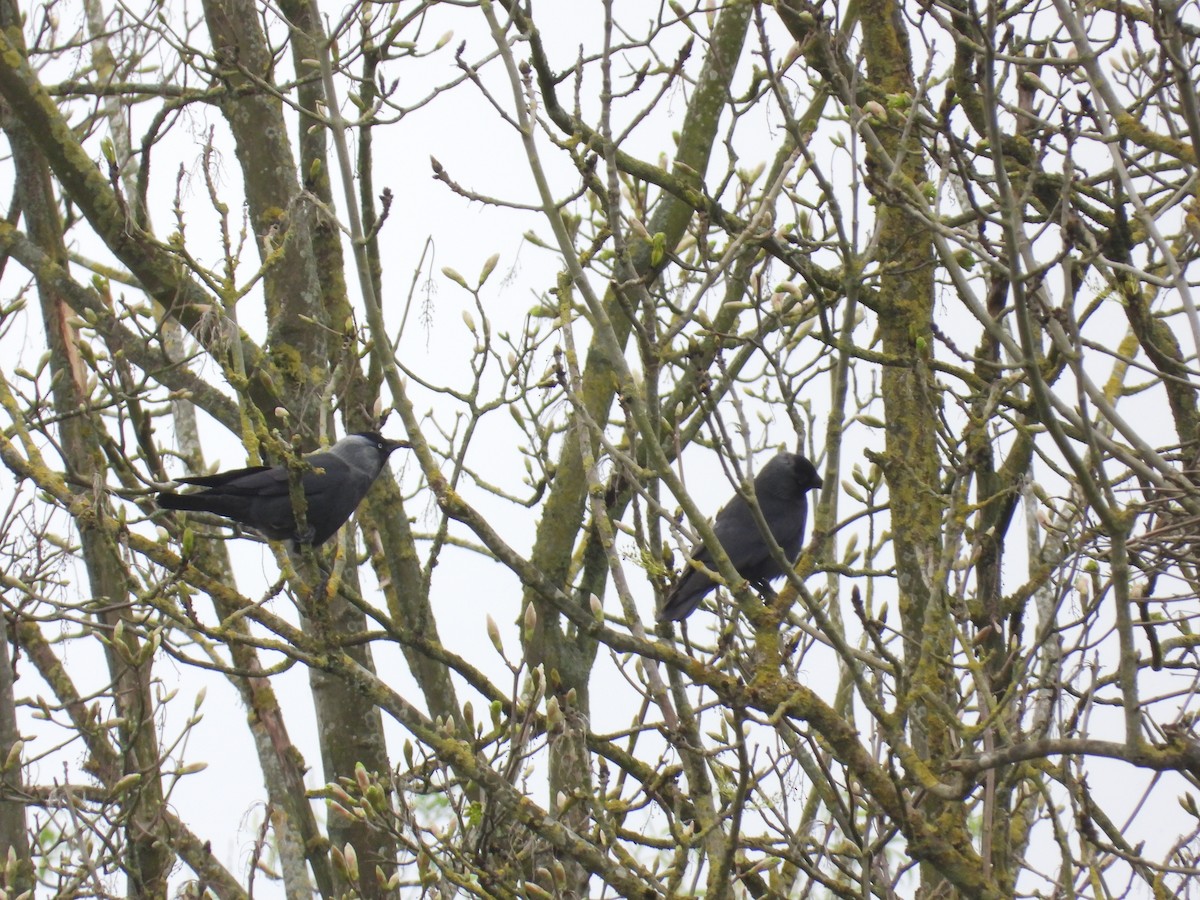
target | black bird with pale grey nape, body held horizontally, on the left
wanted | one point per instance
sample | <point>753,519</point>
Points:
<point>259,496</point>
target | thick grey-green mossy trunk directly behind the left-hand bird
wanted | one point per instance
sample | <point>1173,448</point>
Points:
<point>291,236</point>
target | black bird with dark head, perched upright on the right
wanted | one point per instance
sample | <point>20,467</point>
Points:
<point>781,490</point>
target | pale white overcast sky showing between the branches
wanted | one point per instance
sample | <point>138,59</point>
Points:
<point>479,152</point>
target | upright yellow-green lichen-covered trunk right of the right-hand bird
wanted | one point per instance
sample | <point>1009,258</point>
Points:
<point>911,463</point>
